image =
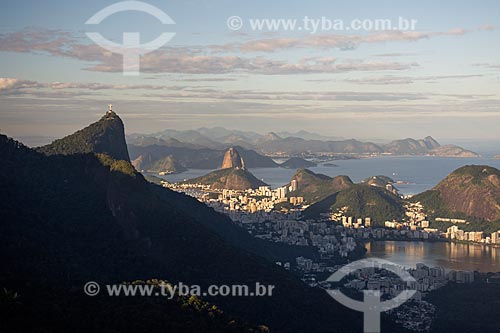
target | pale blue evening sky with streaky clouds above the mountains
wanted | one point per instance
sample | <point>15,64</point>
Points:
<point>441,78</point>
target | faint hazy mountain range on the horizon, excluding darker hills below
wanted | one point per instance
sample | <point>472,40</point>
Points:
<point>291,144</point>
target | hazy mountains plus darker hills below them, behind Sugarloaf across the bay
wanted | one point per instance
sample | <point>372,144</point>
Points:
<point>205,148</point>
